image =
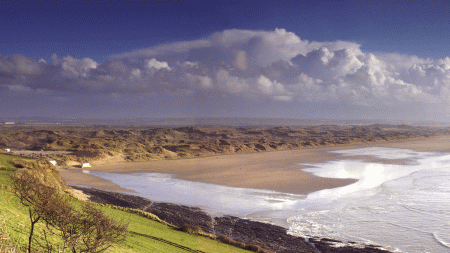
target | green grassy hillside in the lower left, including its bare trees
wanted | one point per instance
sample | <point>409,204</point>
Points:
<point>38,215</point>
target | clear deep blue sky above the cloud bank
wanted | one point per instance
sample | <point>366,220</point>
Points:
<point>96,31</point>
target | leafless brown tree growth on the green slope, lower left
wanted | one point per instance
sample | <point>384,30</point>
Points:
<point>86,230</point>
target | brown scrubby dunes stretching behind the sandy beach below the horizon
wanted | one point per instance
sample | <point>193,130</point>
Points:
<point>88,144</point>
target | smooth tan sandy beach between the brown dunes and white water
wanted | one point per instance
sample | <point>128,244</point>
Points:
<point>276,170</point>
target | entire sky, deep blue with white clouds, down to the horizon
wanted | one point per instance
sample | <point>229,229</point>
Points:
<point>193,58</point>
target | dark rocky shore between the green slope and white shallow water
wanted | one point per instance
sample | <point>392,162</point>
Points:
<point>264,235</point>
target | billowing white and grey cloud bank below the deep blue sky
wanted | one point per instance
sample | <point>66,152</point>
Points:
<point>248,66</point>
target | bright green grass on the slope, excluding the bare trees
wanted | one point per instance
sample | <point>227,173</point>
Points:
<point>145,234</point>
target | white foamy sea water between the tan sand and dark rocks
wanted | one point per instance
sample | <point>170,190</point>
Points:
<point>402,207</point>
